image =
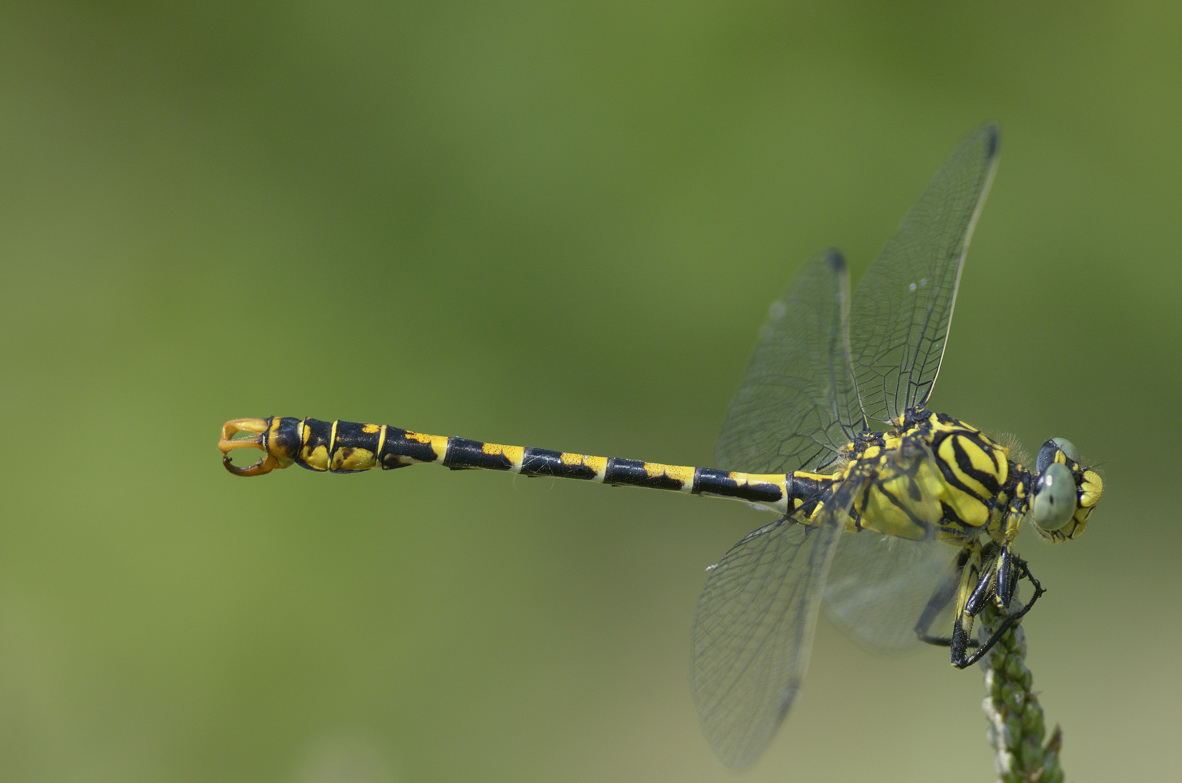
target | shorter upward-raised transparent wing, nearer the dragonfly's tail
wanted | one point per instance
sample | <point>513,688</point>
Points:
<point>788,413</point>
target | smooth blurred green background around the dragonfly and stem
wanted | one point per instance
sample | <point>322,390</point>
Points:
<point>557,225</point>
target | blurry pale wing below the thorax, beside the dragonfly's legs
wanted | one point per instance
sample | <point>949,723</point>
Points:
<point>879,586</point>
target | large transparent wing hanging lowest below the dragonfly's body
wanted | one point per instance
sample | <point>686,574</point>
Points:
<point>755,629</point>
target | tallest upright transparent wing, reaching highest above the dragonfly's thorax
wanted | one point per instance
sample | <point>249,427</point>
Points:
<point>904,307</point>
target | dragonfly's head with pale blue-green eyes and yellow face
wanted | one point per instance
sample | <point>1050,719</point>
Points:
<point>1066,493</point>
